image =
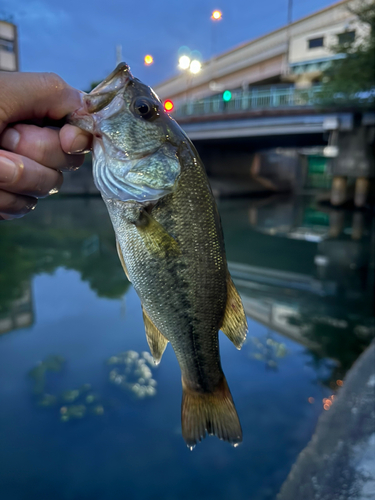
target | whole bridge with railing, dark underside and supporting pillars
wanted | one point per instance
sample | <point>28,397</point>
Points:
<point>258,118</point>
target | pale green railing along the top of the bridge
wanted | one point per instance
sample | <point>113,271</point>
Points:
<point>256,98</point>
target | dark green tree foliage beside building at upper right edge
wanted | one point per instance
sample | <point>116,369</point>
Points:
<point>354,73</point>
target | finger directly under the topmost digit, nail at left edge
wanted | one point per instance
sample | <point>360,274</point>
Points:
<point>39,144</point>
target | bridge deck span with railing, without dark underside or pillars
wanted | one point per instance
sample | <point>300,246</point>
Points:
<point>262,111</point>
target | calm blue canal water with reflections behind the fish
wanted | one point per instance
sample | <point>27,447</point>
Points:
<point>84,414</point>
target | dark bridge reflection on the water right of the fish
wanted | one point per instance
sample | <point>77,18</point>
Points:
<point>318,289</point>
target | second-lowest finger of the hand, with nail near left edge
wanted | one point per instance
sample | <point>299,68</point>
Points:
<point>20,175</point>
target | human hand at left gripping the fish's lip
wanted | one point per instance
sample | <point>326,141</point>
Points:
<point>33,156</point>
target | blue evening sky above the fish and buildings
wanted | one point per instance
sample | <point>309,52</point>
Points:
<point>77,38</point>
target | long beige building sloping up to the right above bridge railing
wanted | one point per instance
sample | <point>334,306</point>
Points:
<point>293,55</point>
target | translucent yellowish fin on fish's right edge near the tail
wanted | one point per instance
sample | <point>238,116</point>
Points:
<point>234,323</point>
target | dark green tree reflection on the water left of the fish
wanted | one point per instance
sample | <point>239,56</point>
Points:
<point>79,238</point>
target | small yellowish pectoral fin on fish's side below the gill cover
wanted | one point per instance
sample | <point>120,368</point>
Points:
<point>157,240</point>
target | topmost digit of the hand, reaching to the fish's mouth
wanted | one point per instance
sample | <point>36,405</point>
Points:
<point>25,96</point>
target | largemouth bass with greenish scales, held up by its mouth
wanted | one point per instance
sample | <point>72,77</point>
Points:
<point>170,243</point>
